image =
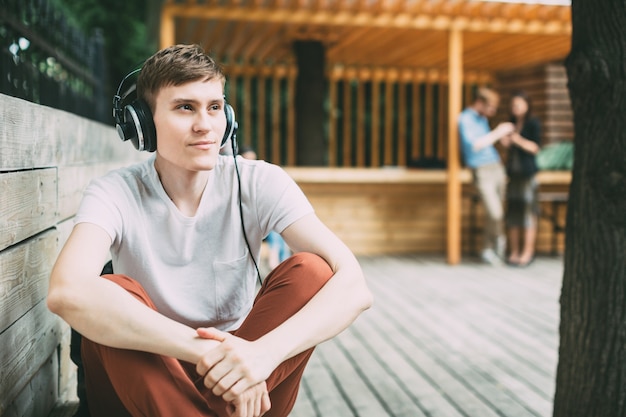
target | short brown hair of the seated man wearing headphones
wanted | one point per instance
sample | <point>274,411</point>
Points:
<point>175,65</point>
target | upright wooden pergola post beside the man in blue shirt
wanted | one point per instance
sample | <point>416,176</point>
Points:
<point>455,77</point>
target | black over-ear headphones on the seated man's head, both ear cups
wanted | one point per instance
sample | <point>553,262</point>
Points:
<point>134,122</point>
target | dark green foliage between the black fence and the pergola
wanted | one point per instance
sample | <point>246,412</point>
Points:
<point>123,23</point>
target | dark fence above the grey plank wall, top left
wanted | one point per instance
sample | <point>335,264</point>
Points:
<point>45,59</point>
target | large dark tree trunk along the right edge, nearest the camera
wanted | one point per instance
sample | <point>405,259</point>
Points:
<point>591,374</point>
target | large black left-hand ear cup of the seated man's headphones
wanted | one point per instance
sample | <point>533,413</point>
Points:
<point>138,126</point>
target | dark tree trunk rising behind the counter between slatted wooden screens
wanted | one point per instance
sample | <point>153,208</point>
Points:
<point>311,147</point>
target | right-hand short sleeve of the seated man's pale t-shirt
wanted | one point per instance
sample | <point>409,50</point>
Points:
<point>280,200</point>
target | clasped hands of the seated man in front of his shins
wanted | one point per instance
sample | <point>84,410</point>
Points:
<point>236,370</point>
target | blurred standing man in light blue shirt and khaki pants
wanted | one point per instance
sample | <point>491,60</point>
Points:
<point>480,155</point>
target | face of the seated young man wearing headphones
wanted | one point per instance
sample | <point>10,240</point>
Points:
<point>190,123</point>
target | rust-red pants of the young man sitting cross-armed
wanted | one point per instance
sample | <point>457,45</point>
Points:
<point>122,382</point>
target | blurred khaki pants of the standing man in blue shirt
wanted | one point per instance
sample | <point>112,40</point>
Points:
<point>490,181</point>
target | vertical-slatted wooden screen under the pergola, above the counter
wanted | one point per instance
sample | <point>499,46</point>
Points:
<point>376,117</point>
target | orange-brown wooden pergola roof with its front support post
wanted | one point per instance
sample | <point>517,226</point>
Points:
<point>445,38</point>
